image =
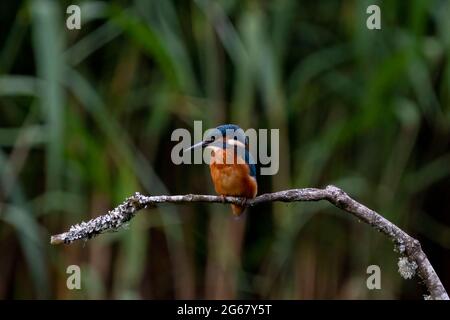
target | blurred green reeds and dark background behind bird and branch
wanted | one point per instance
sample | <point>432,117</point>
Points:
<point>86,117</point>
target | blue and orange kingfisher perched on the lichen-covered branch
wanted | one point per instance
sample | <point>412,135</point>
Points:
<point>232,168</point>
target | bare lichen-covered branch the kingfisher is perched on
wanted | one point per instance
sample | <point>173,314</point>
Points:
<point>412,255</point>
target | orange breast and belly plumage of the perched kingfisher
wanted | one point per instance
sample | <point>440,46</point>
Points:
<point>232,179</point>
